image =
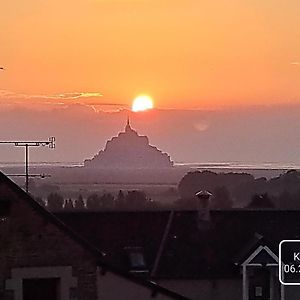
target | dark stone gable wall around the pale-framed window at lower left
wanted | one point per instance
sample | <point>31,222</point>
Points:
<point>30,240</point>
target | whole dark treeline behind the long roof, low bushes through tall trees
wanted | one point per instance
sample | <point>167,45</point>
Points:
<point>229,190</point>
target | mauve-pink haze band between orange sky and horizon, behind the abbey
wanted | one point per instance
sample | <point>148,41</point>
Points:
<point>247,134</point>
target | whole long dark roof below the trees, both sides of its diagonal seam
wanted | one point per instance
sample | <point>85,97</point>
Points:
<point>191,249</point>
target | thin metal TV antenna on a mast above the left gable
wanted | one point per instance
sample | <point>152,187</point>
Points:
<point>26,144</point>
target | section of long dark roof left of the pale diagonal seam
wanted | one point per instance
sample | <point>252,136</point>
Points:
<point>112,232</point>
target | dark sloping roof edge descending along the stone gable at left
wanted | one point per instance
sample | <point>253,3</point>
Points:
<point>85,242</point>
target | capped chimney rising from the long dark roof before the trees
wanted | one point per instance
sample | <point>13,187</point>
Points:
<point>203,204</point>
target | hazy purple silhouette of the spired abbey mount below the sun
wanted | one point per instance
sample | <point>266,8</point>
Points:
<point>129,151</point>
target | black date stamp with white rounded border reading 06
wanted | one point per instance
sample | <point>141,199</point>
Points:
<point>289,262</point>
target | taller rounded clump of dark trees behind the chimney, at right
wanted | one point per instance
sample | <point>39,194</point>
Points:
<point>242,190</point>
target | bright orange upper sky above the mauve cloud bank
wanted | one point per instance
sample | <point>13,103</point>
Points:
<point>184,53</point>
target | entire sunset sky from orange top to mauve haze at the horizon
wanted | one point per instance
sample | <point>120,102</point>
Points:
<point>224,76</point>
